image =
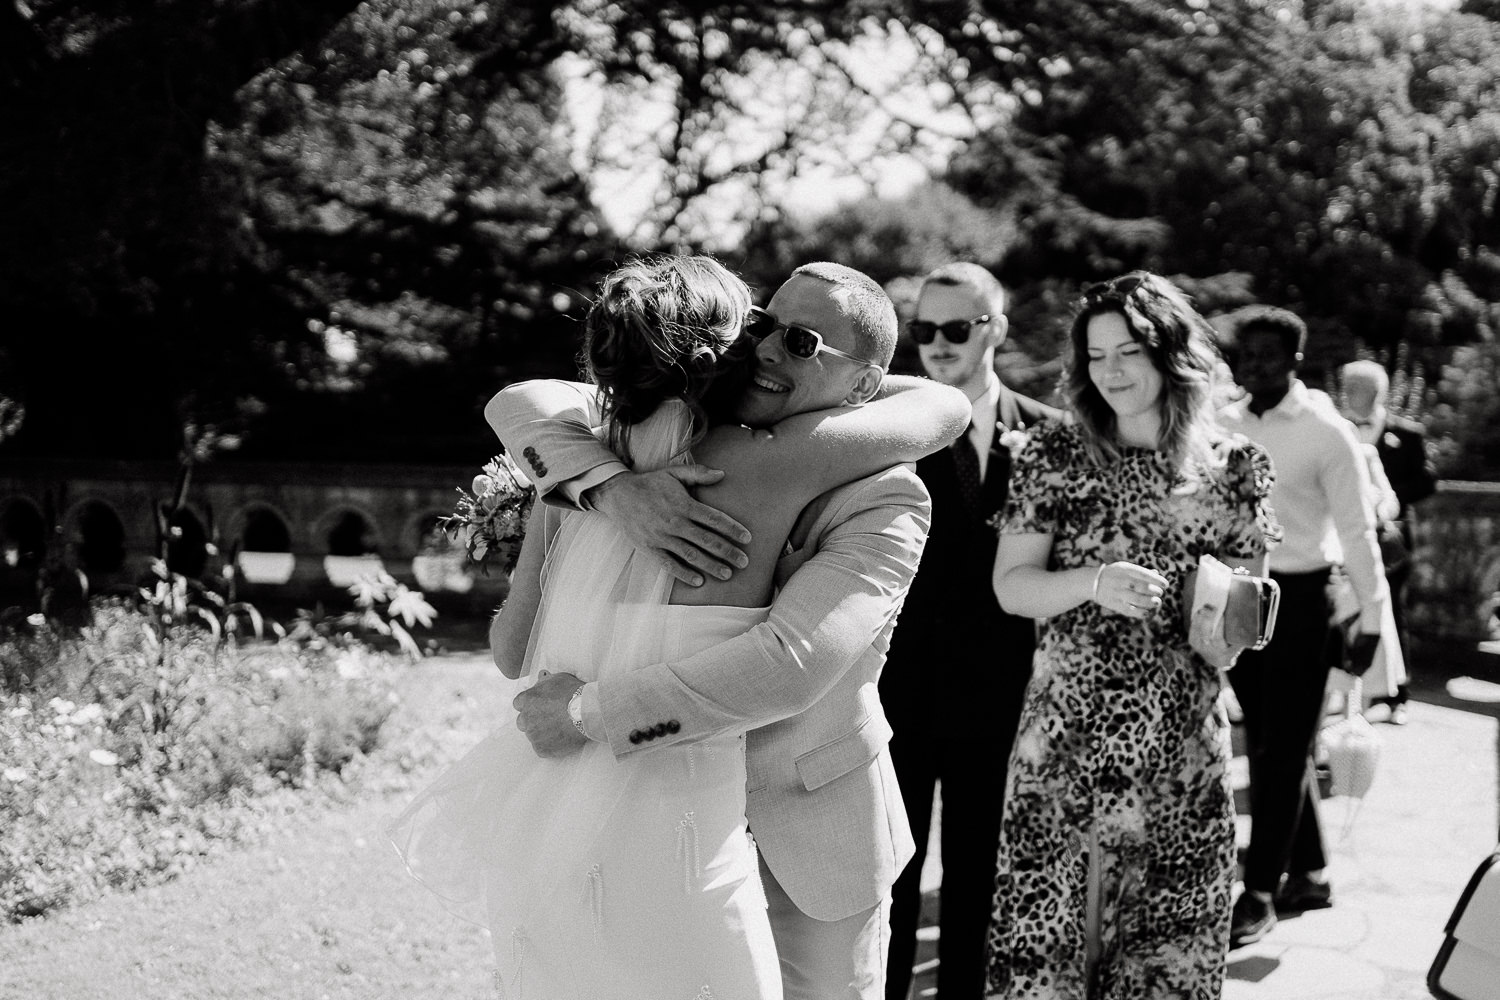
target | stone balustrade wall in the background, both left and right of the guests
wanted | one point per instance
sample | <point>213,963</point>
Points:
<point>341,519</point>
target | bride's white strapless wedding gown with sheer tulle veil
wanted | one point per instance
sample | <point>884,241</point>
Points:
<point>605,879</point>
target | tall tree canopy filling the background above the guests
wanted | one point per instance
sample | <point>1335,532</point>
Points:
<point>364,217</point>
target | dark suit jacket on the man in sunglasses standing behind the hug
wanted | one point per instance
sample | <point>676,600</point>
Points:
<point>958,663</point>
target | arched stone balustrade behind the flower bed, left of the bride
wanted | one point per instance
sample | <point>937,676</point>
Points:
<point>326,524</point>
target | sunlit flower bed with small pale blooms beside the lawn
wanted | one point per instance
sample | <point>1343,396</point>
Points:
<point>134,749</point>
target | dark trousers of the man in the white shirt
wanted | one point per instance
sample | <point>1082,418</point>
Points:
<point>1282,693</point>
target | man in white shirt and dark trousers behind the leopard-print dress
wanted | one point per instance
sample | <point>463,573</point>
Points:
<point>1319,499</point>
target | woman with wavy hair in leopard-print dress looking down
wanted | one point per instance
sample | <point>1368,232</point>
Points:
<point>1117,851</point>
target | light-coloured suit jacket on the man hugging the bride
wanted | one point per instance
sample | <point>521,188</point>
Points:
<point>823,798</point>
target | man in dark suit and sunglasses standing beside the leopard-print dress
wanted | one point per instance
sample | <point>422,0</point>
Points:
<point>958,668</point>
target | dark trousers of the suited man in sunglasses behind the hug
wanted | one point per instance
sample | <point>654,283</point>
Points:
<point>973,777</point>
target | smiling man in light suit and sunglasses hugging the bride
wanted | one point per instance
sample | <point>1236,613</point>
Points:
<point>823,800</point>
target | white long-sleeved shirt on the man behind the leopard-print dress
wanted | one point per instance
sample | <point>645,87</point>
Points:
<point>1321,493</point>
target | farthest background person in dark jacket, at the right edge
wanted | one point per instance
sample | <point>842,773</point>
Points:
<point>1402,446</point>
